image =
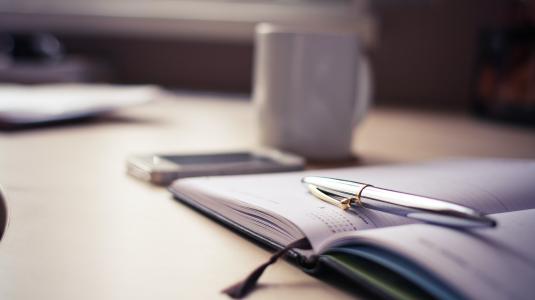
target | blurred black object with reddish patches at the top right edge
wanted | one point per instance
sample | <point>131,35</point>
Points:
<point>505,77</point>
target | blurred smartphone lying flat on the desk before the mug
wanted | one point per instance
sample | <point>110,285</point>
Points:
<point>163,169</point>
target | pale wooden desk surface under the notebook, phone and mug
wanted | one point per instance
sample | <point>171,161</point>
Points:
<point>81,229</point>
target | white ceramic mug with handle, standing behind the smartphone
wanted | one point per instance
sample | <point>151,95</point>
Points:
<point>311,88</point>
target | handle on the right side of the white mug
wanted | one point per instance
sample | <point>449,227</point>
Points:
<point>363,92</point>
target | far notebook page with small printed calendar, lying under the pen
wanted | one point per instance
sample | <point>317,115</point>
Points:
<point>491,186</point>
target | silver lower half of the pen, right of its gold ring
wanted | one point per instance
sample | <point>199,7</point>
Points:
<point>423,208</point>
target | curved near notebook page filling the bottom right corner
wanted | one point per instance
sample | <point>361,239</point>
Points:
<point>492,263</point>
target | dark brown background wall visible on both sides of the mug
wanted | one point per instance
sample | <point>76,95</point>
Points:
<point>424,56</point>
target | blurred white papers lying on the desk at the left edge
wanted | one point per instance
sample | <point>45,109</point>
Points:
<point>28,104</point>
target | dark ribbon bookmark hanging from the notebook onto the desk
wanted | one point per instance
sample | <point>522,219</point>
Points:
<point>244,287</point>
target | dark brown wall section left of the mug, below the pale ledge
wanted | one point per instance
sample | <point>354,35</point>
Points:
<point>186,64</point>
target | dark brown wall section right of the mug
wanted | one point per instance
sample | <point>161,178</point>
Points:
<point>426,52</point>
